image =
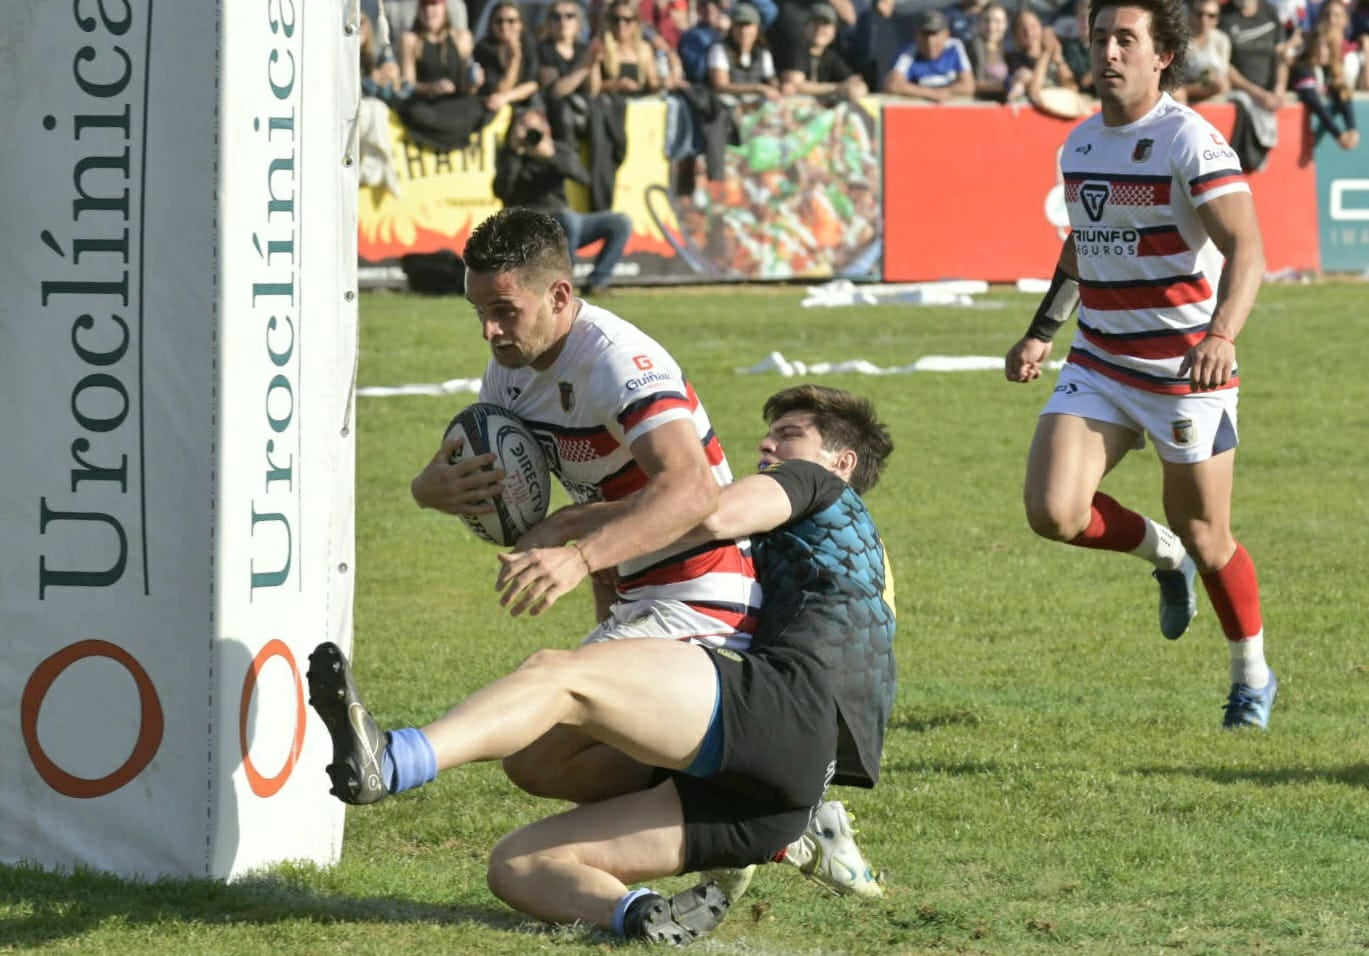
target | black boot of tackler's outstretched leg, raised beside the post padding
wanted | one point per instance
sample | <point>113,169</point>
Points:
<point>358,743</point>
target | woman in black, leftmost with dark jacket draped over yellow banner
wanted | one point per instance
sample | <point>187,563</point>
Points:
<point>436,61</point>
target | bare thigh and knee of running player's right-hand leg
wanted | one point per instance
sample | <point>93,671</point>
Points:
<point>1199,507</point>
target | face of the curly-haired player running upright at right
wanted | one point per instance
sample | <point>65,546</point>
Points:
<point>1127,66</point>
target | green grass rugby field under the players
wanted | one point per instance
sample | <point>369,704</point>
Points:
<point>1055,776</point>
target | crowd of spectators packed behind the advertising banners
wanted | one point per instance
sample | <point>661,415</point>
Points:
<point>450,66</point>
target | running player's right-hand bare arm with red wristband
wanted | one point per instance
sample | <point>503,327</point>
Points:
<point>1236,231</point>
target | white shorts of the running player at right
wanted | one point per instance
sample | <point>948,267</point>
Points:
<point>1186,428</point>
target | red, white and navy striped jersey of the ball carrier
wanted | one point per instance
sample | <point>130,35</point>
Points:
<point>611,386</point>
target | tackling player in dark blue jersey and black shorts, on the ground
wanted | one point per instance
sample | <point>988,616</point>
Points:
<point>750,739</point>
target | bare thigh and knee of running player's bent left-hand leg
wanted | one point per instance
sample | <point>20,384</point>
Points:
<point>1070,457</point>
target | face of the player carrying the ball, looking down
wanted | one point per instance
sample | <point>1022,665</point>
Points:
<point>525,327</point>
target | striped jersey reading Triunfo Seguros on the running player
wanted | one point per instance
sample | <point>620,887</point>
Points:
<point>1148,269</point>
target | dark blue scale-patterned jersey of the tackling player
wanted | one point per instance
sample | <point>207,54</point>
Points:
<point>829,602</point>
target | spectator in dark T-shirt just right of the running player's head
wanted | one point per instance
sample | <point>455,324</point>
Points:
<point>1259,77</point>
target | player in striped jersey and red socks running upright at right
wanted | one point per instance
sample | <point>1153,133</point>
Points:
<point>1164,261</point>
